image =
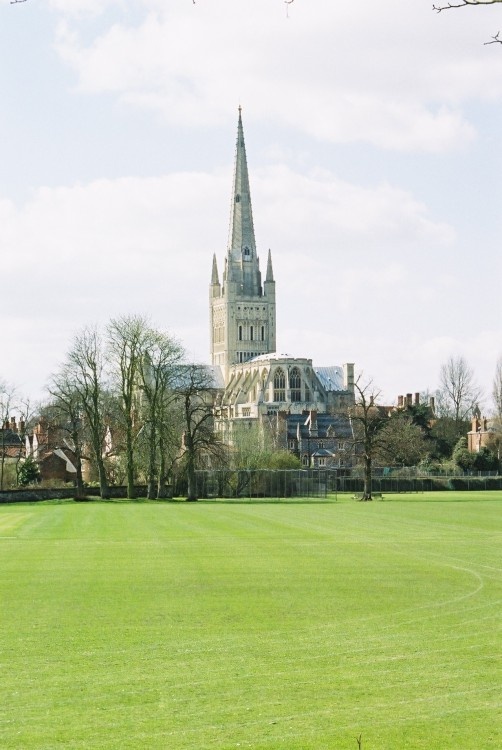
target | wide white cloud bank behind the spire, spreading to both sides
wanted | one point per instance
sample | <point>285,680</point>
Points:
<point>91,252</point>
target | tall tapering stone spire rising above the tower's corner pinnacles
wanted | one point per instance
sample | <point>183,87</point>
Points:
<point>241,235</point>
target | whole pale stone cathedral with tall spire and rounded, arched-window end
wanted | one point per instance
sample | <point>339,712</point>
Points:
<point>304,404</point>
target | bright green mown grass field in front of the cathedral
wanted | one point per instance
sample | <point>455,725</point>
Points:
<point>291,625</point>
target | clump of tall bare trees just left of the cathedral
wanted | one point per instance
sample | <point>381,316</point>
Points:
<point>133,407</point>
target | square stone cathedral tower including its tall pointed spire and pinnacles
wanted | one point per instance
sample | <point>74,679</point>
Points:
<point>242,308</point>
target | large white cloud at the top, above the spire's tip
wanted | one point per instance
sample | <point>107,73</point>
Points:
<point>340,73</point>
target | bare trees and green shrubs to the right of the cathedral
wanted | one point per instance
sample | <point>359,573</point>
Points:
<point>421,435</point>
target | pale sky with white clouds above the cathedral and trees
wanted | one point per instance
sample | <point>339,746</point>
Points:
<point>373,140</point>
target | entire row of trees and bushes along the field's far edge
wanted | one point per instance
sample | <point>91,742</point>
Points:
<point>134,411</point>
